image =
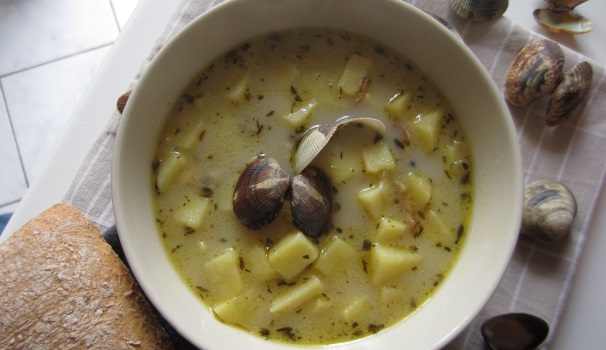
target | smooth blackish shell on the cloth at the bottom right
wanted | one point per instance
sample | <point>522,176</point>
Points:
<point>514,331</point>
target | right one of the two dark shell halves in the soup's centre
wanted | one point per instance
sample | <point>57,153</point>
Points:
<point>311,201</point>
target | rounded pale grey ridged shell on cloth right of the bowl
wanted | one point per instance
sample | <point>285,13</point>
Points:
<point>549,210</point>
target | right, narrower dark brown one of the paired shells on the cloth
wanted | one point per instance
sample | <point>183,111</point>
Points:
<point>569,95</point>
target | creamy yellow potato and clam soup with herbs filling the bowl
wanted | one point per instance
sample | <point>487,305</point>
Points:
<point>356,242</point>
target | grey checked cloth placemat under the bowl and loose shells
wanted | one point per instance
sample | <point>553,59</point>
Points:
<point>539,276</point>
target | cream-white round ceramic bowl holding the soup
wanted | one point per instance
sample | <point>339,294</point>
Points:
<point>448,63</point>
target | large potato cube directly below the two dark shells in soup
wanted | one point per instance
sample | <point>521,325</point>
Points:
<point>292,254</point>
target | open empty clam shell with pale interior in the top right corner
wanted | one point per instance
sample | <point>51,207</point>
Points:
<point>559,18</point>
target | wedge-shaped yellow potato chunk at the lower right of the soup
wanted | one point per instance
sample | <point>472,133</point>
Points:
<point>387,263</point>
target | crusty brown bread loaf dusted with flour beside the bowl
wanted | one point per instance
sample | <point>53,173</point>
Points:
<point>63,287</point>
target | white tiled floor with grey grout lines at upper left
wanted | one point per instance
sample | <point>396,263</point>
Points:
<point>49,53</point>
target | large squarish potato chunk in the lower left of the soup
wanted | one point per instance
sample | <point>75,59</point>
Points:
<point>222,275</point>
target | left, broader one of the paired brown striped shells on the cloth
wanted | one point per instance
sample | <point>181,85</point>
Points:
<point>535,72</point>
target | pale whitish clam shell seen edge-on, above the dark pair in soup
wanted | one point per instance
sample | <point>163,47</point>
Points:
<point>316,138</point>
